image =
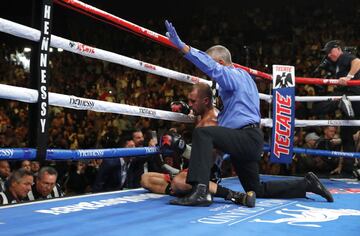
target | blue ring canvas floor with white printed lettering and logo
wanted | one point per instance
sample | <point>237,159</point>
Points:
<point>138,212</point>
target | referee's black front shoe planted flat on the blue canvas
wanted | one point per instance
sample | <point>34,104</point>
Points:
<point>199,196</point>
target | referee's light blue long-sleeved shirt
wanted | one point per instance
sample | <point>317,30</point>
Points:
<point>237,90</point>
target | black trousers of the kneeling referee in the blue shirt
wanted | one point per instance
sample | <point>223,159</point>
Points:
<point>244,147</point>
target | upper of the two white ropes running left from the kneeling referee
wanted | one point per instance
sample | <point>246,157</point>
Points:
<point>22,31</point>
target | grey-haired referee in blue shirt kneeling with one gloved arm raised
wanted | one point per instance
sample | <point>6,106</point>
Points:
<point>238,133</point>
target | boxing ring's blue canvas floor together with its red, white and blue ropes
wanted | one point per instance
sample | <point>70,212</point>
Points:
<point>138,212</point>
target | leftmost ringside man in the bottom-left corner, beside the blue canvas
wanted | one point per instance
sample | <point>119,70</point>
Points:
<point>19,185</point>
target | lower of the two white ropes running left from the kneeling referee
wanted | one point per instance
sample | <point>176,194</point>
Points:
<point>73,102</point>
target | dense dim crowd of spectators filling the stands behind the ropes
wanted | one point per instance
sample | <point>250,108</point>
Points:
<point>257,37</point>
